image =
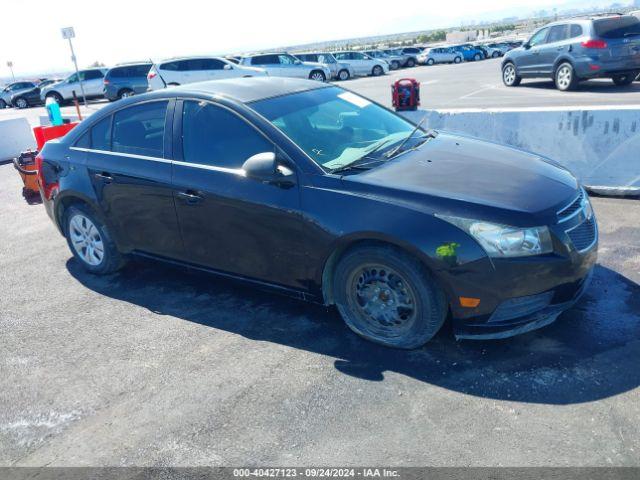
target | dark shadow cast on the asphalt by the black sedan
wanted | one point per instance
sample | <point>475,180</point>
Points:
<point>591,352</point>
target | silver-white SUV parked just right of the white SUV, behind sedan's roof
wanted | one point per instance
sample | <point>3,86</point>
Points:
<point>285,65</point>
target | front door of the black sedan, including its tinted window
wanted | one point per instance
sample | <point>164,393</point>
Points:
<point>229,222</point>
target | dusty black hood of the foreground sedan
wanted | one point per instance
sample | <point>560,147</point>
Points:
<point>474,171</point>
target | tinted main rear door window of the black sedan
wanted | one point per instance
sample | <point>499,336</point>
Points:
<point>139,130</point>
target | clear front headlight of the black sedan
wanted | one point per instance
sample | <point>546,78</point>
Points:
<point>503,241</point>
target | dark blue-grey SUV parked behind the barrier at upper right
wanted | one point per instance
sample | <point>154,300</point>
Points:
<point>569,51</point>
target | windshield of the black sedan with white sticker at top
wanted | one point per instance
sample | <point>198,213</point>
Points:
<point>333,126</point>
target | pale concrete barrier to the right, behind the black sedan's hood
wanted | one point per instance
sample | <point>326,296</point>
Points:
<point>599,145</point>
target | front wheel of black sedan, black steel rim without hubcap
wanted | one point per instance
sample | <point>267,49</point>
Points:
<point>374,279</point>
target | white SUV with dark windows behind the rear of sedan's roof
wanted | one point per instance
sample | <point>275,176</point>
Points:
<point>179,71</point>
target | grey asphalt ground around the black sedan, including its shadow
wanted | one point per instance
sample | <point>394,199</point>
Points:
<point>156,365</point>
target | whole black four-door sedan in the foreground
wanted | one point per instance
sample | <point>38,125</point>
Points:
<point>317,192</point>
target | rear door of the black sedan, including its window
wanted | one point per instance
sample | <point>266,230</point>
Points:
<point>128,160</point>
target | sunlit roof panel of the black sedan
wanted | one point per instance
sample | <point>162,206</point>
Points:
<point>251,89</point>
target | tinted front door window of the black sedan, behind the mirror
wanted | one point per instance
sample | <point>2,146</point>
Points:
<point>214,136</point>
